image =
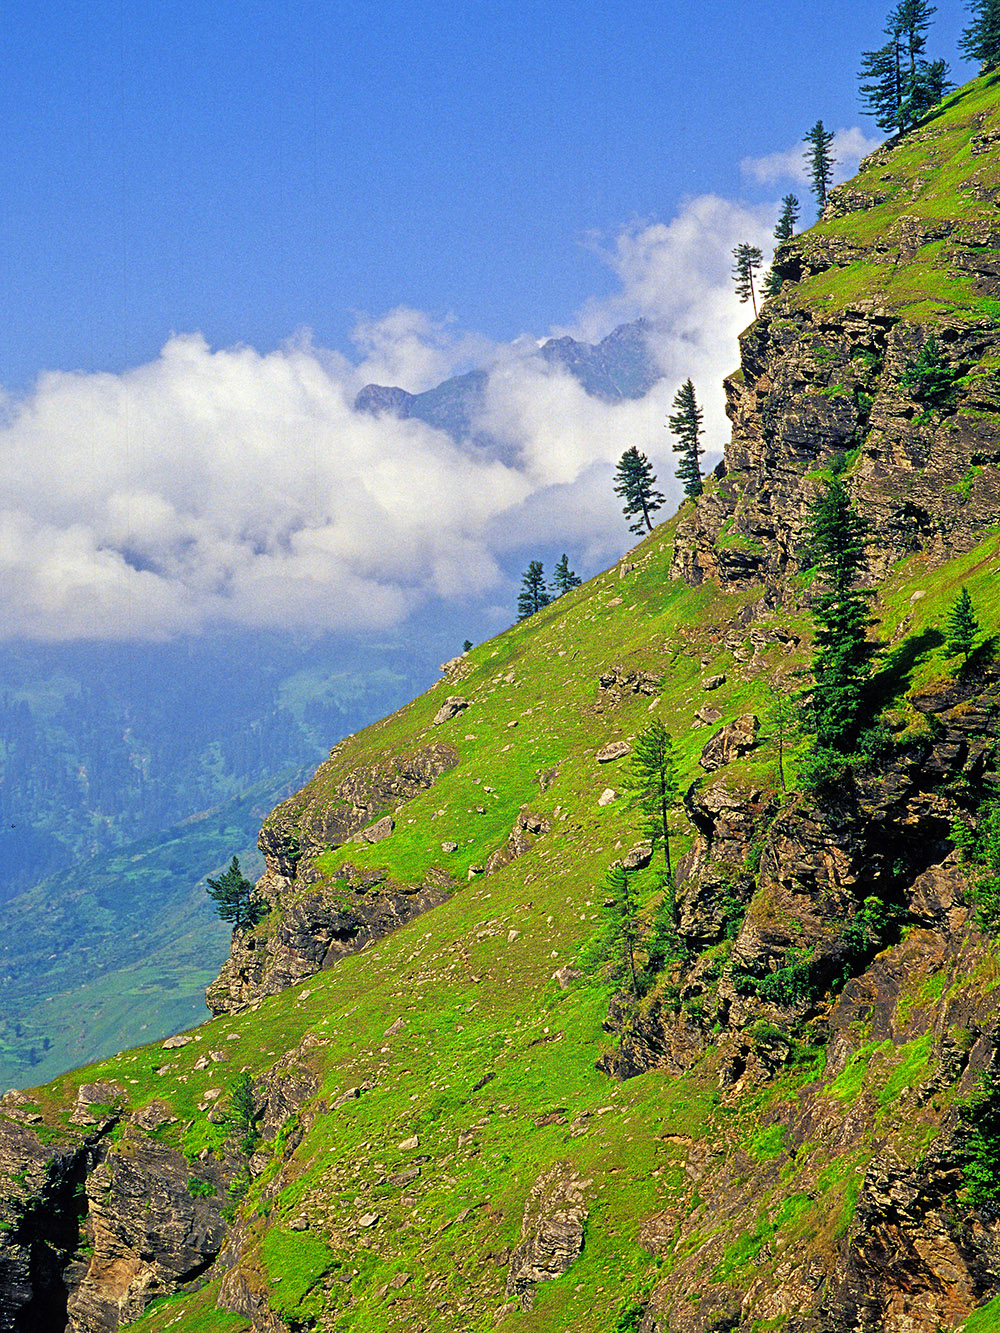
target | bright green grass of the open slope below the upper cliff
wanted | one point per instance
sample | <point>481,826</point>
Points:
<point>493,1066</point>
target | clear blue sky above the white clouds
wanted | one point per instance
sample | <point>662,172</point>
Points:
<point>246,170</point>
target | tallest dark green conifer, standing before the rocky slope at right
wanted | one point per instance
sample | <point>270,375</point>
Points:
<point>842,654</point>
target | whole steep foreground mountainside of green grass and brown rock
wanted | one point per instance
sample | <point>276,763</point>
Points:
<point>430,1103</point>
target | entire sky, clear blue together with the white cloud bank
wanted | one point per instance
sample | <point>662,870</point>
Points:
<point>219,221</point>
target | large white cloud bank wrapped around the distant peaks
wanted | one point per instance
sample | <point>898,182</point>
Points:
<point>233,487</point>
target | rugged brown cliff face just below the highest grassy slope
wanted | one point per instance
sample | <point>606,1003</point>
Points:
<point>814,387</point>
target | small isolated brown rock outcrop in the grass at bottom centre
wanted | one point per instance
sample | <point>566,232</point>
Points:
<point>553,1232</point>
